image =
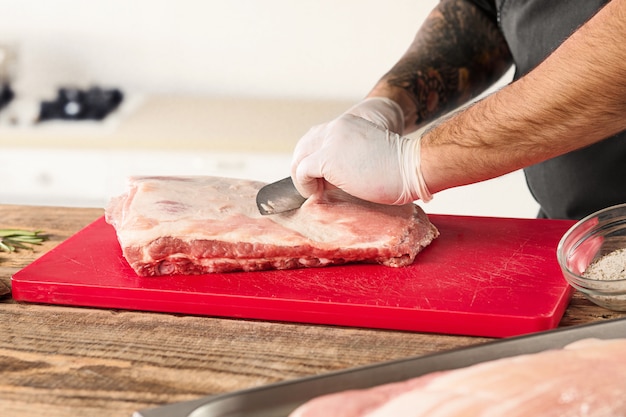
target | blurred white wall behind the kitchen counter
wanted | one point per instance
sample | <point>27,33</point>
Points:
<point>284,48</point>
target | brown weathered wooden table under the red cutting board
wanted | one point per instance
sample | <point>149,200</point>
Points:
<point>62,361</point>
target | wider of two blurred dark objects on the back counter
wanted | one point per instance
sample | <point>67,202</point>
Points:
<point>94,103</point>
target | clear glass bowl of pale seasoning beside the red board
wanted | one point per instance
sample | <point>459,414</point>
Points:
<point>589,240</point>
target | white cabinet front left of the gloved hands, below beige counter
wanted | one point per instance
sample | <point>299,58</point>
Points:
<point>89,178</point>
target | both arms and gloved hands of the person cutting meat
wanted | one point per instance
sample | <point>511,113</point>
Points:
<point>575,98</point>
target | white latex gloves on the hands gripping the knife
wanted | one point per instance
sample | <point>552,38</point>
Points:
<point>358,153</point>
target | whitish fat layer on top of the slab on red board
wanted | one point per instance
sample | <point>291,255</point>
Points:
<point>183,206</point>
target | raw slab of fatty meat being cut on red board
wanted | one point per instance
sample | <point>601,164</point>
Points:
<point>203,224</point>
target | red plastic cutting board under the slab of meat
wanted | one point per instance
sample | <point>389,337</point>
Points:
<point>483,276</point>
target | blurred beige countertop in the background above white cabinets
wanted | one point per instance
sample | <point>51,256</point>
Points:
<point>177,122</point>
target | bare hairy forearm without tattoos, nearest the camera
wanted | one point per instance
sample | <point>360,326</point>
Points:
<point>575,98</point>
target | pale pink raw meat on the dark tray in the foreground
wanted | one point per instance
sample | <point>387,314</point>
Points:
<point>586,378</point>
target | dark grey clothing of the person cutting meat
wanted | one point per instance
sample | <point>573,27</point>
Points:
<point>576,184</point>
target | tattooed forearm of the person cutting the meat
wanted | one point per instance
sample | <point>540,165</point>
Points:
<point>457,54</point>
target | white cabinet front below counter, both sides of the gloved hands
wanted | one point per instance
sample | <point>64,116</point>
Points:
<point>89,178</point>
